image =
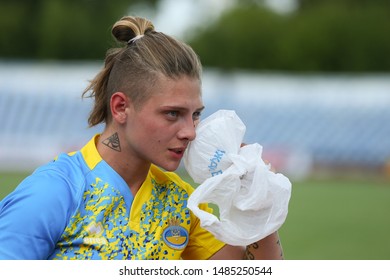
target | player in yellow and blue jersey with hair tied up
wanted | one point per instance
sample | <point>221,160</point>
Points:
<point>117,198</point>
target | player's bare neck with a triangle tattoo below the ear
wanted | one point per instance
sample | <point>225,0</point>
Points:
<point>129,167</point>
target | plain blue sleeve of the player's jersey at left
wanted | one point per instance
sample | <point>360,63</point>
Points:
<point>34,215</point>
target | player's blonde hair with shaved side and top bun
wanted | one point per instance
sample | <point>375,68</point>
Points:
<point>135,67</point>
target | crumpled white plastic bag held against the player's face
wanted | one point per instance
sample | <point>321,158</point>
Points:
<point>252,200</point>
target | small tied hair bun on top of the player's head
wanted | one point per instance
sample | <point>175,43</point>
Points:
<point>129,28</point>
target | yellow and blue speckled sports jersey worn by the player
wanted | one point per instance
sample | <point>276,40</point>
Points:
<point>78,207</point>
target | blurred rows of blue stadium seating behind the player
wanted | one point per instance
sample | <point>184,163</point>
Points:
<point>299,120</point>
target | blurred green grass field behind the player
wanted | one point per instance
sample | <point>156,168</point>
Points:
<point>329,219</point>
